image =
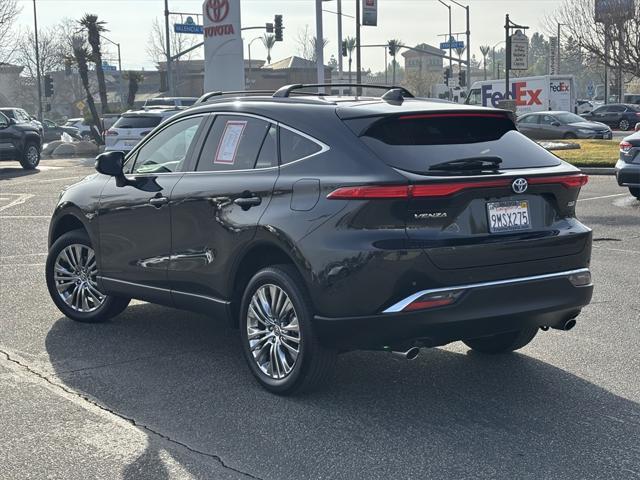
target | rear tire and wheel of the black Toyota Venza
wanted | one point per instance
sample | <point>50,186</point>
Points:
<point>277,335</point>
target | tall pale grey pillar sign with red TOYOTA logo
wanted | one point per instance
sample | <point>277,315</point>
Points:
<point>223,50</point>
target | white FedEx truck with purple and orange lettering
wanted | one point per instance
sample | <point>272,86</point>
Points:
<point>532,94</point>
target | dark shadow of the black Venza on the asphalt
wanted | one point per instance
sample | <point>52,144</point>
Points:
<point>444,415</point>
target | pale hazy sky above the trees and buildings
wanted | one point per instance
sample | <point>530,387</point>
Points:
<point>411,21</point>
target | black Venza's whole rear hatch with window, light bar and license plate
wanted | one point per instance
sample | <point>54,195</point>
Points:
<point>479,194</point>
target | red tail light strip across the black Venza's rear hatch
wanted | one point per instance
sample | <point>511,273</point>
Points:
<point>370,192</point>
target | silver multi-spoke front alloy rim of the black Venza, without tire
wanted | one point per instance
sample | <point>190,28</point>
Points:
<point>74,275</point>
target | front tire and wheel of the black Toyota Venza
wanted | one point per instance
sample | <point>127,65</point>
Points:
<point>76,293</point>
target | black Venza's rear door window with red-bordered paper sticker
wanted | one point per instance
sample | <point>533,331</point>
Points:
<point>233,143</point>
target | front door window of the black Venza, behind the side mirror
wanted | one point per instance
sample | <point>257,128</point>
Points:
<point>166,151</point>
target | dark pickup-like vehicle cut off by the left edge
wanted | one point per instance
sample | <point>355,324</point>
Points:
<point>20,141</point>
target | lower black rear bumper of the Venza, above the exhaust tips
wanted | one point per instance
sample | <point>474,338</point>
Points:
<point>483,309</point>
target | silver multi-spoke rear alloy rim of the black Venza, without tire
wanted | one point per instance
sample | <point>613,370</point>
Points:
<point>273,331</point>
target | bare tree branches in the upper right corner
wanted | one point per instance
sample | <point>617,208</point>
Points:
<point>578,17</point>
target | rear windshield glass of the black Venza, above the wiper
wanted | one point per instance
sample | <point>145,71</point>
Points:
<point>417,142</point>
